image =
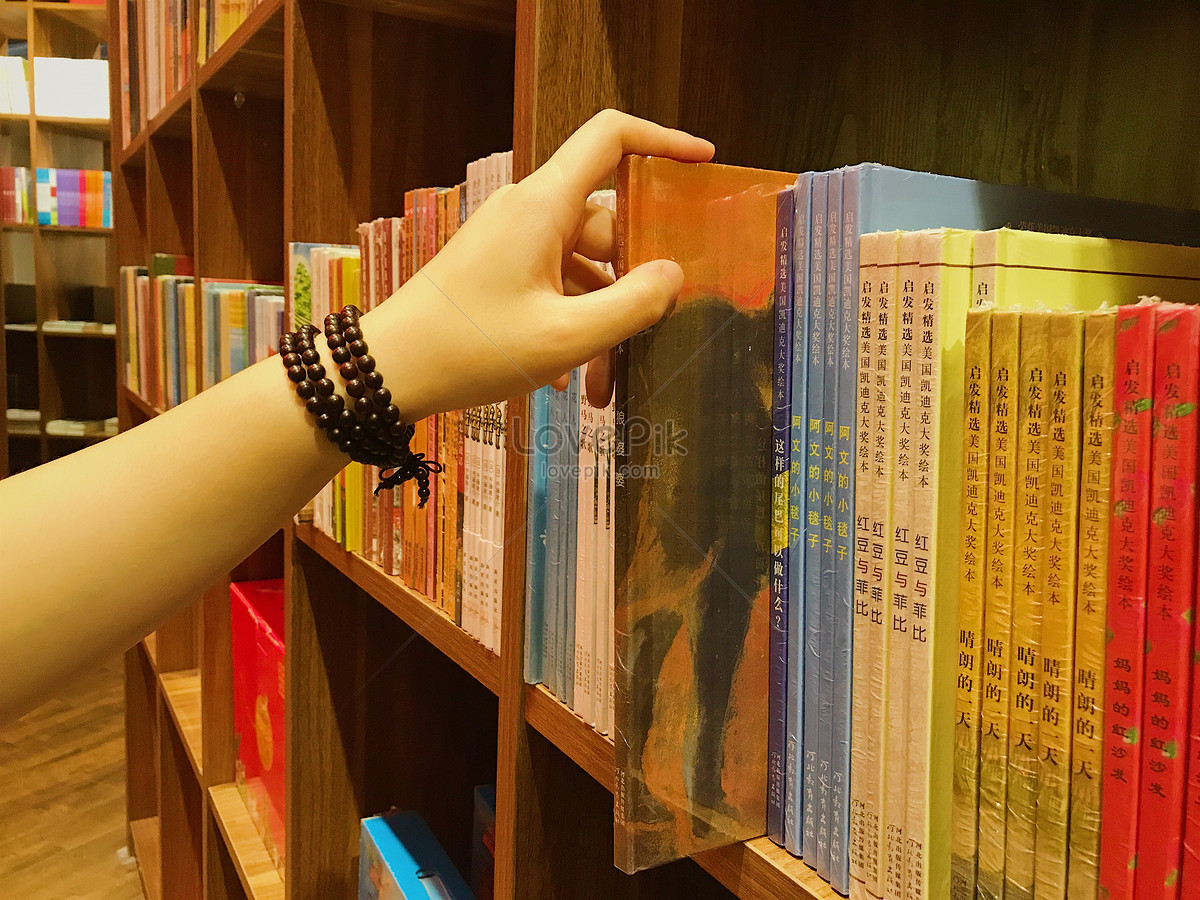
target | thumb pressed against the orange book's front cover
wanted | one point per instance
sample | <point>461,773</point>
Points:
<point>627,307</point>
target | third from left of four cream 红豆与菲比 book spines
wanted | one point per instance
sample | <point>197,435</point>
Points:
<point>899,596</point>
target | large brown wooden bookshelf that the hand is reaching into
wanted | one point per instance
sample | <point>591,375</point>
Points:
<point>316,116</point>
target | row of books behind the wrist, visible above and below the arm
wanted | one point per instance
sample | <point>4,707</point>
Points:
<point>449,550</point>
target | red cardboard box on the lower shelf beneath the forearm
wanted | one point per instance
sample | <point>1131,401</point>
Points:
<point>257,625</point>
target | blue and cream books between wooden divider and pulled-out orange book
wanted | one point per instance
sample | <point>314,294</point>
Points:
<point>569,545</point>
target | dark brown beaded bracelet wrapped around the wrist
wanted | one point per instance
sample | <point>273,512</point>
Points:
<point>369,431</point>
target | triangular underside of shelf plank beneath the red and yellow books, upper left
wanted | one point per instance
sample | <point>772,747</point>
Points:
<point>251,61</point>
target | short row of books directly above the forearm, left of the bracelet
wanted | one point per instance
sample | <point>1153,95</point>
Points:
<point>177,343</point>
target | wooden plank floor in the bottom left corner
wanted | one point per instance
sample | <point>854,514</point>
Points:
<point>63,797</point>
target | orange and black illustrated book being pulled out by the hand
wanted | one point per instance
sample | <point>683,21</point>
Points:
<point>694,410</point>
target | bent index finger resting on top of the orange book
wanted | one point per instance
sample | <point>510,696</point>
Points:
<point>591,154</point>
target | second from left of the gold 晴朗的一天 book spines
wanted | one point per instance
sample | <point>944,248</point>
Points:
<point>1004,365</point>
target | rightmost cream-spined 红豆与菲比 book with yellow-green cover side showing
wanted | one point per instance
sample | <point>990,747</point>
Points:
<point>940,325</point>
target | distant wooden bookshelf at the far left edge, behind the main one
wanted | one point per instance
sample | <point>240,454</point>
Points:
<point>56,259</point>
